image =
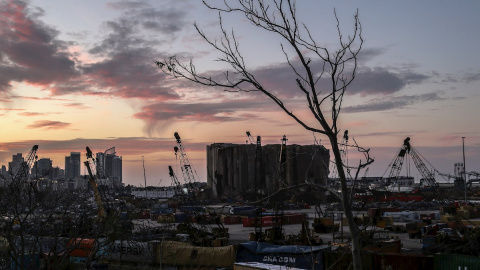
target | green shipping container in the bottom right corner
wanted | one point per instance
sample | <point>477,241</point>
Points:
<point>456,262</point>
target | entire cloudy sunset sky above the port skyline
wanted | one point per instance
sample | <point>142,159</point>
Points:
<point>82,73</point>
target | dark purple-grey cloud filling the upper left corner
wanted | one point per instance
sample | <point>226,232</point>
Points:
<point>29,50</point>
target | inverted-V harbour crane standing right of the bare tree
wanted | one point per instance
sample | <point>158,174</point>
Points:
<point>397,164</point>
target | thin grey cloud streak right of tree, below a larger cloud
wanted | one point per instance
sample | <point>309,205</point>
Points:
<point>391,103</point>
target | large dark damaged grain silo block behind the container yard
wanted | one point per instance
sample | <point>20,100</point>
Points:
<point>253,171</point>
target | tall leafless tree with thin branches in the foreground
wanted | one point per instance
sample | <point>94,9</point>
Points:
<point>322,77</point>
